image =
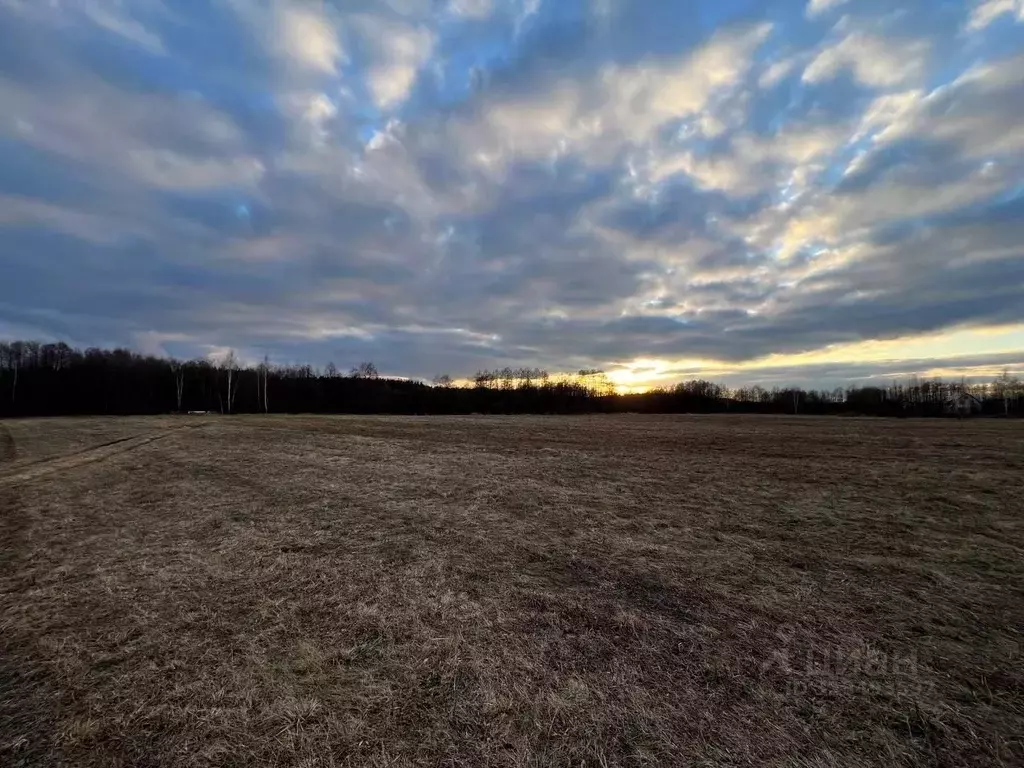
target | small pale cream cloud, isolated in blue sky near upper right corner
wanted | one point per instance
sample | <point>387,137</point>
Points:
<point>874,61</point>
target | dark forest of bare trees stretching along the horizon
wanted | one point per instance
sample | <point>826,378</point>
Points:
<point>39,379</point>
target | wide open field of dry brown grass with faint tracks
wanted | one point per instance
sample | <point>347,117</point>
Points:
<point>594,591</point>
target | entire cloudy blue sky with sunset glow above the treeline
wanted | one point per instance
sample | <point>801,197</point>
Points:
<point>801,192</point>
